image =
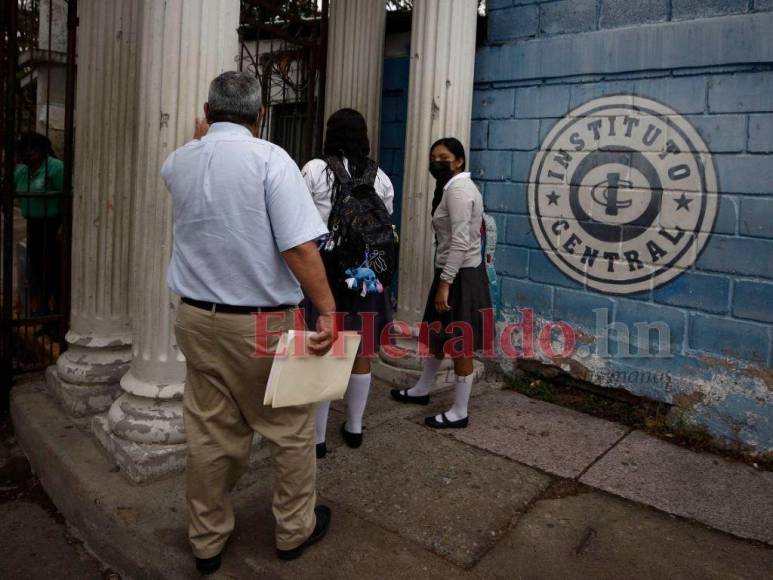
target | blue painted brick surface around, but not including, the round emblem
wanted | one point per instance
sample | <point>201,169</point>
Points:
<point>543,58</point>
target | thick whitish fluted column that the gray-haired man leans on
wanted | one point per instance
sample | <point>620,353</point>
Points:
<point>183,46</point>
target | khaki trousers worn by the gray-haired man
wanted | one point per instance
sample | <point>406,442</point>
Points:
<point>223,405</point>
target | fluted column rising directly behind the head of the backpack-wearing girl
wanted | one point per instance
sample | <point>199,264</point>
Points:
<point>355,61</point>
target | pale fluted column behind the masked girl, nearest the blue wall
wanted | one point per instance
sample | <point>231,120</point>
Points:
<point>439,105</point>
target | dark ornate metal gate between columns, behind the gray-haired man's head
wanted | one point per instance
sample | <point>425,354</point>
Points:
<point>283,42</point>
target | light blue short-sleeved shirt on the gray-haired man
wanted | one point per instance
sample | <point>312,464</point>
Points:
<point>238,202</point>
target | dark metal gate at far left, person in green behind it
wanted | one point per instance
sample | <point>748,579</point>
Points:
<point>37,85</point>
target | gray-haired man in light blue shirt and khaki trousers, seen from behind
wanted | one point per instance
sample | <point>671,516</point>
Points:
<point>244,231</point>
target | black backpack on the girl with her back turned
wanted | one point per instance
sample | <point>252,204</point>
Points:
<point>361,233</point>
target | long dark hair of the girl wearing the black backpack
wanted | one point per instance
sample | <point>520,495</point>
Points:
<point>346,135</point>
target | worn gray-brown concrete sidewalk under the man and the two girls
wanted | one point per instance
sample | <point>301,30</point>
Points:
<point>529,490</point>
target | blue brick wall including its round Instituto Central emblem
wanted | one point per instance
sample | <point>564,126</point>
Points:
<point>584,110</point>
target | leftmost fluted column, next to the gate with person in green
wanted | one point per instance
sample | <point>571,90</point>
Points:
<point>86,377</point>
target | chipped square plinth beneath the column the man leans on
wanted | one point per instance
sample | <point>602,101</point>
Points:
<point>140,462</point>
